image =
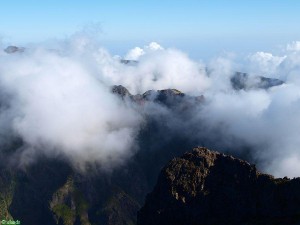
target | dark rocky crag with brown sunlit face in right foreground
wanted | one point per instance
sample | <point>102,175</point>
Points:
<point>206,187</point>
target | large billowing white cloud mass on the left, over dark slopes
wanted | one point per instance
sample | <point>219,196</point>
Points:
<point>57,104</point>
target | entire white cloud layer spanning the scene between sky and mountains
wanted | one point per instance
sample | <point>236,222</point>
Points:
<point>58,101</point>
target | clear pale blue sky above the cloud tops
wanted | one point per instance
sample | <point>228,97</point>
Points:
<point>198,27</point>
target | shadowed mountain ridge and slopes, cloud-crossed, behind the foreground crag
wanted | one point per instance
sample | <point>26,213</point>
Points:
<point>50,191</point>
